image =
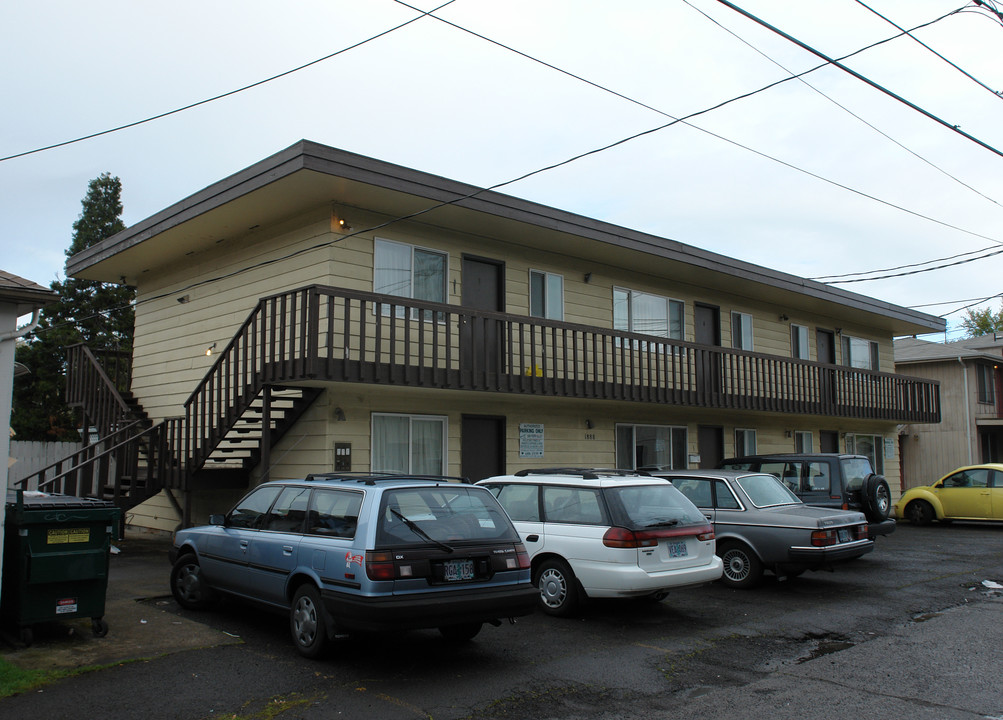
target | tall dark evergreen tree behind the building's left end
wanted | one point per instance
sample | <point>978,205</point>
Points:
<point>100,315</point>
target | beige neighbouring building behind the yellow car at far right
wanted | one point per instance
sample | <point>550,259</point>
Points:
<point>971,429</point>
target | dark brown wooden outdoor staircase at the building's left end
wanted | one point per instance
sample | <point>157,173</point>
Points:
<point>135,459</point>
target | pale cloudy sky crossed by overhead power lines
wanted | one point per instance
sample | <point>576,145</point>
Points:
<point>823,176</point>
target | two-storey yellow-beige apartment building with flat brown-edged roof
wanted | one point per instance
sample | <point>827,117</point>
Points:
<point>322,310</point>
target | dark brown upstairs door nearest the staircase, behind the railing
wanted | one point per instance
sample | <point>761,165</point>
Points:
<point>484,289</point>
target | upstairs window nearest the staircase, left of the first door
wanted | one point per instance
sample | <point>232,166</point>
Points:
<point>409,272</point>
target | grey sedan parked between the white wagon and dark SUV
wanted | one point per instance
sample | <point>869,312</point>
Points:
<point>761,526</point>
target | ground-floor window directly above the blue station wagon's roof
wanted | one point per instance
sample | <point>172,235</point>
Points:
<point>409,444</point>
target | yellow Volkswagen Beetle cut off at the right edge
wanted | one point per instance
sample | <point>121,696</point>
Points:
<point>973,493</point>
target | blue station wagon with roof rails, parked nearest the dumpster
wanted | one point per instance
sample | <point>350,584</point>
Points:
<point>344,553</point>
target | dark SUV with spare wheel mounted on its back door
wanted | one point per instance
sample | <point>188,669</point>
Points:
<point>828,480</point>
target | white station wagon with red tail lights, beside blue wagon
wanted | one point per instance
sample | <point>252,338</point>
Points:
<point>606,534</point>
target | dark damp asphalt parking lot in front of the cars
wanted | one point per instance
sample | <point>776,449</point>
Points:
<point>910,631</point>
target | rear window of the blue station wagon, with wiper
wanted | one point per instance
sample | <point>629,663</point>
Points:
<point>432,516</point>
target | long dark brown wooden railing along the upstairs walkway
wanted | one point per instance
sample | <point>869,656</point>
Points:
<point>331,334</point>
